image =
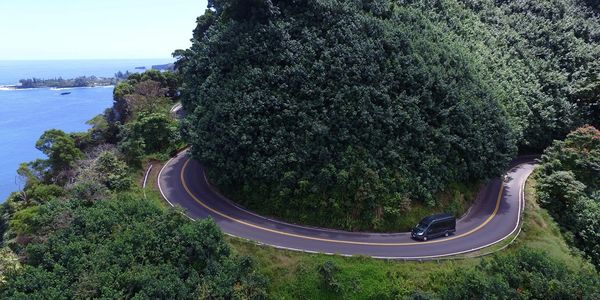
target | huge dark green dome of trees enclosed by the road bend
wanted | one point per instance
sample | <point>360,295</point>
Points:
<point>284,99</point>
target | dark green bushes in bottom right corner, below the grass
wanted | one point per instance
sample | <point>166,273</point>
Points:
<point>526,274</point>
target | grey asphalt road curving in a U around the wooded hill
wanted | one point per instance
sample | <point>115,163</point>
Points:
<point>493,217</point>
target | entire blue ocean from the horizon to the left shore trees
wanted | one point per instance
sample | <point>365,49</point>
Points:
<point>26,114</point>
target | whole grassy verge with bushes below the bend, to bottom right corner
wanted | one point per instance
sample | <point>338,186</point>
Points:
<point>540,264</point>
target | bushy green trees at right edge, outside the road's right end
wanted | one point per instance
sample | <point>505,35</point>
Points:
<point>569,187</point>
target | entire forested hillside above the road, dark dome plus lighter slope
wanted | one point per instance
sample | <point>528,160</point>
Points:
<point>347,113</point>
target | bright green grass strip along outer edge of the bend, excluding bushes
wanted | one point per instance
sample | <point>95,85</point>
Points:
<point>294,275</point>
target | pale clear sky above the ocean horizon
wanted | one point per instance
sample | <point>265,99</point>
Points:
<point>95,29</point>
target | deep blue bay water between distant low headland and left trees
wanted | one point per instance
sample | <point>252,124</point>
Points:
<point>27,113</point>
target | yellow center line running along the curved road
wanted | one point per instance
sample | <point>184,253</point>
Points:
<point>185,186</point>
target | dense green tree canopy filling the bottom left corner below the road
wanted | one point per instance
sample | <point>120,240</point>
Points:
<point>129,248</point>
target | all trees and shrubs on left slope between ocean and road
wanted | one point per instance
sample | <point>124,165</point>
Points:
<point>81,228</point>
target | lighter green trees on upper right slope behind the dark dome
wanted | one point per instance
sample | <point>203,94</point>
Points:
<point>542,56</point>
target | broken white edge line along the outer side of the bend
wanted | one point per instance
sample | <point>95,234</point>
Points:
<point>521,206</point>
